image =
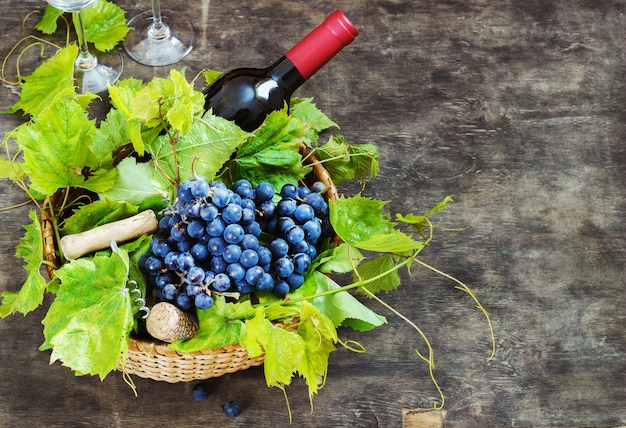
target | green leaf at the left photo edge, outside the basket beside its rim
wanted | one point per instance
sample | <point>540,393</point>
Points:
<point>31,294</point>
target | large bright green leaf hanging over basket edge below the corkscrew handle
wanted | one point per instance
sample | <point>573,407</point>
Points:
<point>88,324</point>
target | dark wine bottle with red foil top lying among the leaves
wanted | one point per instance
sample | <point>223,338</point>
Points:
<point>248,95</point>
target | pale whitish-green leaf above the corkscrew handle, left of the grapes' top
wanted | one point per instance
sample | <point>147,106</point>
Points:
<point>135,183</point>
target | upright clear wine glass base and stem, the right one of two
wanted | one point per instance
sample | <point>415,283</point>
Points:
<point>157,39</point>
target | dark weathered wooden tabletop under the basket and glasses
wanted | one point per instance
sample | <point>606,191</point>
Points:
<point>516,108</point>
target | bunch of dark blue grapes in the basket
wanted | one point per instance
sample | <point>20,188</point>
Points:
<point>216,240</point>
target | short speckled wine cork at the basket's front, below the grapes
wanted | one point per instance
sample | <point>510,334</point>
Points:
<point>168,323</point>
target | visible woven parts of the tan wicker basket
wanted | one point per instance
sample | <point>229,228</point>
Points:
<point>152,359</point>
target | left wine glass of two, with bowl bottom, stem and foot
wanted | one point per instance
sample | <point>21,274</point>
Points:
<point>91,72</point>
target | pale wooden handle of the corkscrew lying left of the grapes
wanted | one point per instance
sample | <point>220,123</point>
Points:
<point>99,238</point>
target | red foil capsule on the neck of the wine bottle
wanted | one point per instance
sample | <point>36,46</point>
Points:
<point>322,44</point>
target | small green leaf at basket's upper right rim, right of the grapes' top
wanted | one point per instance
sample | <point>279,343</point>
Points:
<point>347,162</point>
